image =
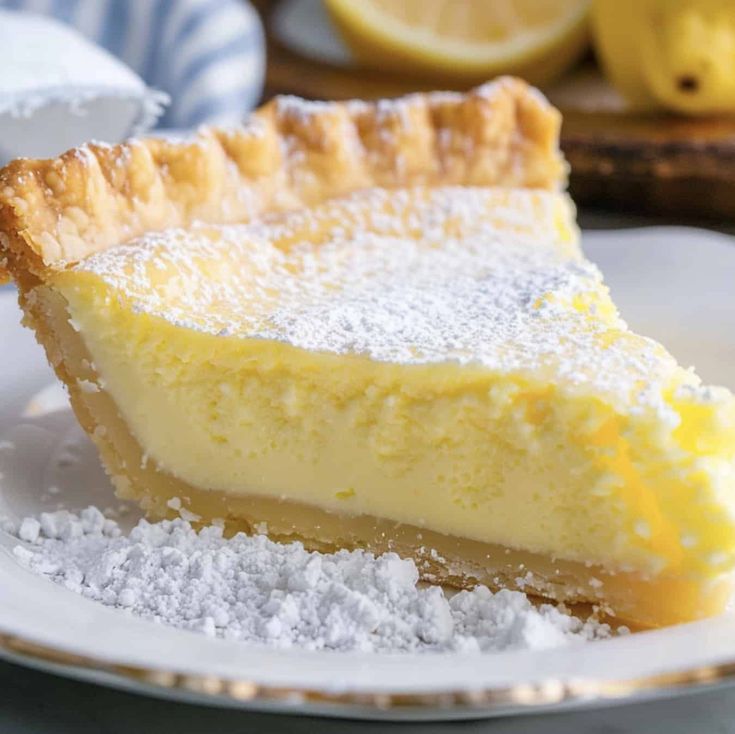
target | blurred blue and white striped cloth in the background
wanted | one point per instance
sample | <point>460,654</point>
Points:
<point>208,55</point>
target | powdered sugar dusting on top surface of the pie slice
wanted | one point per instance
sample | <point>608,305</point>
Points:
<point>465,274</point>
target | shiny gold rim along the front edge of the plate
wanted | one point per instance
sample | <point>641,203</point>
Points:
<point>243,692</point>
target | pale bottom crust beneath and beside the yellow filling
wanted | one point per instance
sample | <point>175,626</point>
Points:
<point>638,600</point>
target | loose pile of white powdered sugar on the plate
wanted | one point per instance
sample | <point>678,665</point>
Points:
<point>257,591</point>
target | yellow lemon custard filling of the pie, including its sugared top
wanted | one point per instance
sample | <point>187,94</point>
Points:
<point>440,357</point>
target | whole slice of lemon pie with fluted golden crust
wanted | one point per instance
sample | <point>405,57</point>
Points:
<point>371,325</point>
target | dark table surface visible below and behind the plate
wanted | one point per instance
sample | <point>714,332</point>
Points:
<point>32,702</point>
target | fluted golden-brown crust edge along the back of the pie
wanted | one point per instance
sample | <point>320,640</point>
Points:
<point>290,153</point>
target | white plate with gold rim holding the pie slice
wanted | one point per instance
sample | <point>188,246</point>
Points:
<point>674,284</point>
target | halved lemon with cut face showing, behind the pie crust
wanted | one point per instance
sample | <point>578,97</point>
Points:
<point>464,39</point>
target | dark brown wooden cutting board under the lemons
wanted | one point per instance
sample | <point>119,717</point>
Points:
<point>660,164</point>
